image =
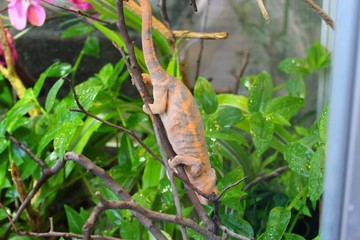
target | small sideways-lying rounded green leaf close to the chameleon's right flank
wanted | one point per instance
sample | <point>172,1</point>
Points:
<point>228,116</point>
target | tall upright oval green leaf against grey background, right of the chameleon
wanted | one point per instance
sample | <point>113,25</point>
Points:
<point>260,92</point>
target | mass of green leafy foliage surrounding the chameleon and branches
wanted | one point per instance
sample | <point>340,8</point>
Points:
<point>247,136</point>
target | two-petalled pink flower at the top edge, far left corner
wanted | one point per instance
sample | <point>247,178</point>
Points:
<point>21,11</point>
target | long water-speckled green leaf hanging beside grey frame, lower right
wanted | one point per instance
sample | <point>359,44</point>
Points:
<point>316,174</point>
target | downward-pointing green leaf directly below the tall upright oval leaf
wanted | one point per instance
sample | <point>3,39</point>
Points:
<point>261,130</point>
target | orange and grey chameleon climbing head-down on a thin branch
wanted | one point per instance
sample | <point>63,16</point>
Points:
<point>179,114</point>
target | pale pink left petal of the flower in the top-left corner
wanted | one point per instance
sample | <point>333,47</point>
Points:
<point>17,13</point>
